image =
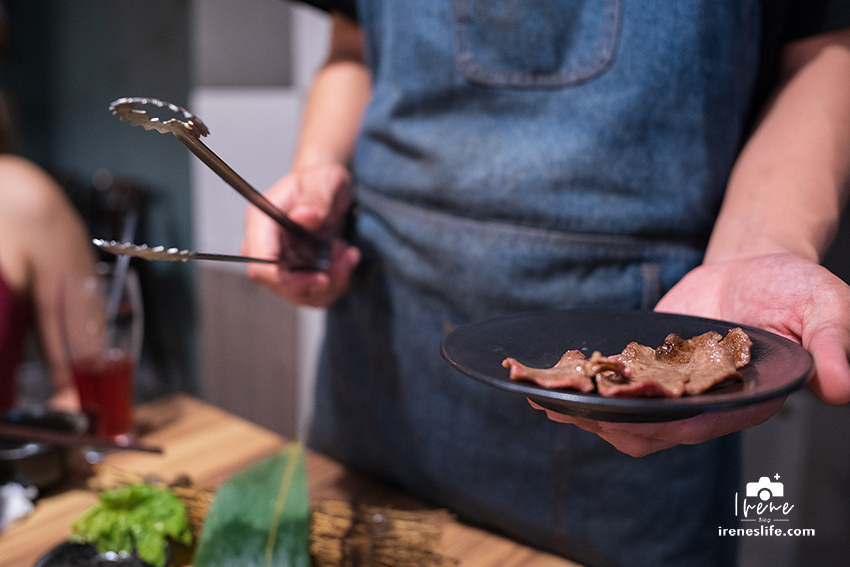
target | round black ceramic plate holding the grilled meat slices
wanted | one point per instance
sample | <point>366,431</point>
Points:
<point>778,366</point>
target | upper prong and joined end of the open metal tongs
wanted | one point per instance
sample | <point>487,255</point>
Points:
<point>307,250</point>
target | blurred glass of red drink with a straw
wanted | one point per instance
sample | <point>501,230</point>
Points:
<point>101,322</point>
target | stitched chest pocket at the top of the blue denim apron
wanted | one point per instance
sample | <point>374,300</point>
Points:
<point>554,44</point>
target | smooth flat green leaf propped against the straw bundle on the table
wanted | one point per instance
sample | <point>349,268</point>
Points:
<point>260,517</point>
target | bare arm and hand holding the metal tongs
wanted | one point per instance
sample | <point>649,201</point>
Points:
<point>316,192</point>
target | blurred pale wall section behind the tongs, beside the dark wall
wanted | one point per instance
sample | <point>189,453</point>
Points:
<point>257,353</point>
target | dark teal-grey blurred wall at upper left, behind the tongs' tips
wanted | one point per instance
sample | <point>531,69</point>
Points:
<point>65,61</point>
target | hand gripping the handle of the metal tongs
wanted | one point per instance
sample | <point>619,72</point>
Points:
<point>316,198</point>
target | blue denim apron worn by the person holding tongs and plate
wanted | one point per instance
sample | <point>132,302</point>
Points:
<point>524,155</point>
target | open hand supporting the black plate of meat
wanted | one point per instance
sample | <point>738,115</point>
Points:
<point>781,293</point>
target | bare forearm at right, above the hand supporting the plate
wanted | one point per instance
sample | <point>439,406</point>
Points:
<point>790,184</point>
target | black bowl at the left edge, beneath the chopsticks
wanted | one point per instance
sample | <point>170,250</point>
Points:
<point>42,465</point>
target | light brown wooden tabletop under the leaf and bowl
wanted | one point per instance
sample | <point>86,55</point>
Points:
<point>211,445</point>
